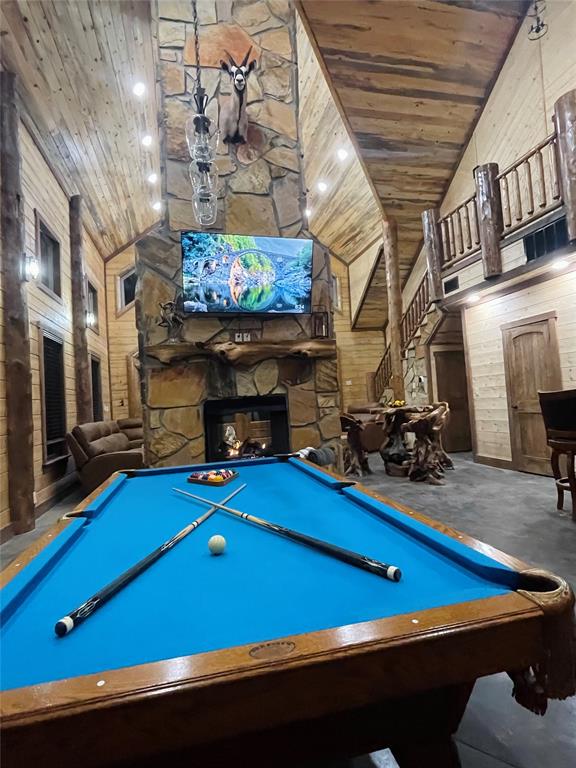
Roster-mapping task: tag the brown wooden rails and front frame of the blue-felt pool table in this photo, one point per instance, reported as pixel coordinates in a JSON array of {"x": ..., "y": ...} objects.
[{"x": 373, "y": 676}]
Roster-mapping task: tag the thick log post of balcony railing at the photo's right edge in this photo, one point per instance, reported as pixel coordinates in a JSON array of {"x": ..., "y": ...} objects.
[{"x": 565, "y": 120}]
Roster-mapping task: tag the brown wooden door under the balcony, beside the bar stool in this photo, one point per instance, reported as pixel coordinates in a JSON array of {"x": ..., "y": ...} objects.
[{"x": 531, "y": 363}]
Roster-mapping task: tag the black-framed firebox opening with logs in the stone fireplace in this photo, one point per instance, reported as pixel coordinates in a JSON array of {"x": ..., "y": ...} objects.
[{"x": 240, "y": 427}]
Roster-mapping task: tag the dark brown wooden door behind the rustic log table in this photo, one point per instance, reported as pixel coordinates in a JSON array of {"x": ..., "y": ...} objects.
[{"x": 451, "y": 386}]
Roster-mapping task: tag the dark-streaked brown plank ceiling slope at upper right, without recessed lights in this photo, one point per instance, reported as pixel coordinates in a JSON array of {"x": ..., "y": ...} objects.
[{"x": 412, "y": 77}]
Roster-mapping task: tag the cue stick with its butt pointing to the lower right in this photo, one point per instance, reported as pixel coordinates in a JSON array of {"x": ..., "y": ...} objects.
[{"x": 390, "y": 572}]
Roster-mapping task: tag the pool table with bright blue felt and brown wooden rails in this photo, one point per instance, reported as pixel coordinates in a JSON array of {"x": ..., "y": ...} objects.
[{"x": 271, "y": 653}]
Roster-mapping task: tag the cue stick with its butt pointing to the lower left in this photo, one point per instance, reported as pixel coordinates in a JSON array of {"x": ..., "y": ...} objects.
[{"x": 80, "y": 614}]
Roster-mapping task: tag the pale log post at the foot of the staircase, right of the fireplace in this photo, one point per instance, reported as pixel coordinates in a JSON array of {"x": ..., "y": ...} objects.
[{"x": 390, "y": 244}]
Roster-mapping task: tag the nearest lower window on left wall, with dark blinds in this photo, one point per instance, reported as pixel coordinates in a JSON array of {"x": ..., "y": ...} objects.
[{"x": 53, "y": 397}]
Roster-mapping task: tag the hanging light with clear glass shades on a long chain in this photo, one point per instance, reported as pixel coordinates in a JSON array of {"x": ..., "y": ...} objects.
[{"x": 202, "y": 145}]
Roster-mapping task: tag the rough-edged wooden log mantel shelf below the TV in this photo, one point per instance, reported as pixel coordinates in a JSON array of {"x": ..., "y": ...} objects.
[{"x": 247, "y": 353}]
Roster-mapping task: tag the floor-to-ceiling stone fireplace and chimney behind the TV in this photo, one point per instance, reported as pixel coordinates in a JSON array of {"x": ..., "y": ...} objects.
[{"x": 262, "y": 193}]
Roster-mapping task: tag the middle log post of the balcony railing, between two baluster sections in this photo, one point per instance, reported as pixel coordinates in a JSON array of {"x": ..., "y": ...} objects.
[{"x": 490, "y": 220}]
